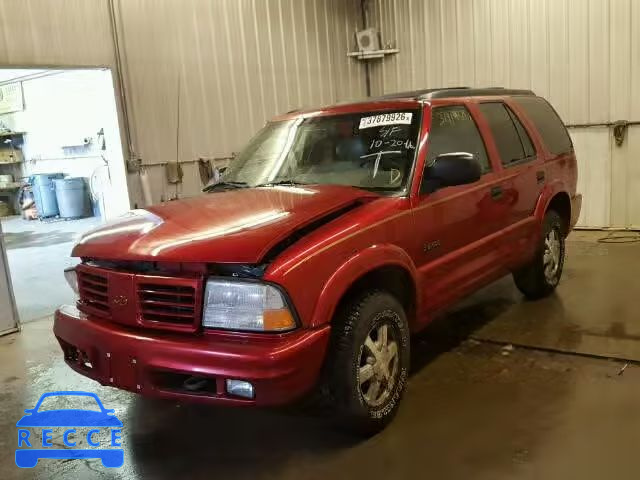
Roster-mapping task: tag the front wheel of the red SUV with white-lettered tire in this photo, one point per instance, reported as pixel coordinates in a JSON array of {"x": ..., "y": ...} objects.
[{"x": 368, "y": 363}]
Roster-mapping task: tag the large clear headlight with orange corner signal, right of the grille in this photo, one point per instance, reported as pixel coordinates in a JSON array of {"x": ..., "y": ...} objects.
[{"x": 238, "y": 305}]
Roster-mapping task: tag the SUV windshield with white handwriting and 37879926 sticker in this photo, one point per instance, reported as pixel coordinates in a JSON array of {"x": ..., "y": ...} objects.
[{"x": 371, "y": 150}]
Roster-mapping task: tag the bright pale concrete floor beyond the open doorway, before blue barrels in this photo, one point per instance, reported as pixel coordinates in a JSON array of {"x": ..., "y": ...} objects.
[{"x": 38, "y": 252}]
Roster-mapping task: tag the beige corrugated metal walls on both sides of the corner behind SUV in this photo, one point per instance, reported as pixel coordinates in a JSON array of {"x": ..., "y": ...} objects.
[{"x": 238, "y": 62}]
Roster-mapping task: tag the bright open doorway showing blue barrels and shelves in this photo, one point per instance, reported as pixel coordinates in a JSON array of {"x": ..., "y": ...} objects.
[{"x": 62, "y": 173}]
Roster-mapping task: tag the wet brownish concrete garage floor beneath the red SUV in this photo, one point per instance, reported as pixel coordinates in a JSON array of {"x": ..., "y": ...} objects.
[{"x": 473, "y": 409}]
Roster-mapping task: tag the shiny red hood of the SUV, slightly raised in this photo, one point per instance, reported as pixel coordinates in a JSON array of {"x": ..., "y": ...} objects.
[{"x": 238, "y": 226}]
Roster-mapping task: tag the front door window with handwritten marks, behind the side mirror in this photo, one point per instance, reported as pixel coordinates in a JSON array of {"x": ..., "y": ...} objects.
[{"x": 454, "y": 130}]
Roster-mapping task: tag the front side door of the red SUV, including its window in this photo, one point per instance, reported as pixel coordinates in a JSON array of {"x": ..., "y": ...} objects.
[{"x": 456, "y": 247}]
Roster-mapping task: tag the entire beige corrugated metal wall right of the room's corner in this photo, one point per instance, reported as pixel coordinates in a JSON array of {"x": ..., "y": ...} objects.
[{"x": 583, "y": 55}]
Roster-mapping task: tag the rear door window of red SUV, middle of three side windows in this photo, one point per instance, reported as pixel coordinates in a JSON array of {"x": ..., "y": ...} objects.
[{"x": 512, "y": 140}]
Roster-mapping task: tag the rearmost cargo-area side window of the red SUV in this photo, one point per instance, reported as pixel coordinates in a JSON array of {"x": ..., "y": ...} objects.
[{"x": 547, "y": 122}]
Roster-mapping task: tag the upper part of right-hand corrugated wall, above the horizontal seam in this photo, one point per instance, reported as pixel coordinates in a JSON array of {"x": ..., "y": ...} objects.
[{"x": 577, "y": 53}]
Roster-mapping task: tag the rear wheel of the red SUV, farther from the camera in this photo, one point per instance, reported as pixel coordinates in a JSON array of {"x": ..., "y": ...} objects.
[{"x": 541, "y": 276}]
